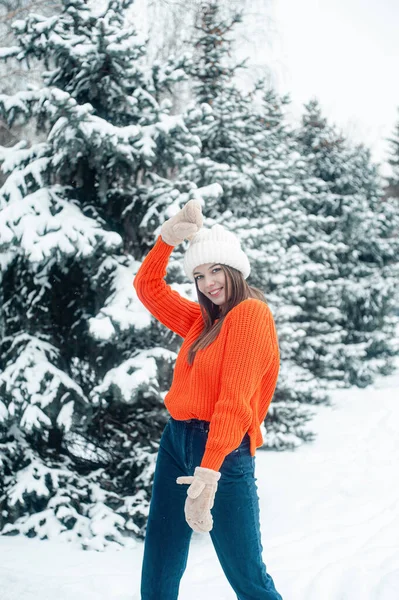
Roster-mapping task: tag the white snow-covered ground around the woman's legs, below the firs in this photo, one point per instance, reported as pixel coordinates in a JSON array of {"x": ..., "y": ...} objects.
[{"x": 330, "y": 522}]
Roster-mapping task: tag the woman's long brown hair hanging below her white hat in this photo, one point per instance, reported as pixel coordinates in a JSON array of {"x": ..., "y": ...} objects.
[{"x": 237, "y": 290}]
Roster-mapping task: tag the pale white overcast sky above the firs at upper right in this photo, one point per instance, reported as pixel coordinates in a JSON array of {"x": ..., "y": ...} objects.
[{"x": 344, "y": 52}]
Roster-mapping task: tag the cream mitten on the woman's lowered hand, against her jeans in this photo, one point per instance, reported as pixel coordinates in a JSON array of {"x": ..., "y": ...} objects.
[{"x": 200, "y": 498}]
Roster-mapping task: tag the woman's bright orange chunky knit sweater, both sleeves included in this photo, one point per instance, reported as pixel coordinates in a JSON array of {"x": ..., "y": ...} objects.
[{"x": 232, "y": 381}]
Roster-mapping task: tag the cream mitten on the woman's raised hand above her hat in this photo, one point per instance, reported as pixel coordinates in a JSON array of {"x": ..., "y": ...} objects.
[{"x": 185, "y": 224}]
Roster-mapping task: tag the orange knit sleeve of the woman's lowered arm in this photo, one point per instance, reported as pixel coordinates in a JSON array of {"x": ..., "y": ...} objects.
[{"x": 251, "y": 353}]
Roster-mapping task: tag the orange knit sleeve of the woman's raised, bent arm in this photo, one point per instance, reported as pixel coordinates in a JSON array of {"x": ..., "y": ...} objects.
[{"x": 166, "y": 305}]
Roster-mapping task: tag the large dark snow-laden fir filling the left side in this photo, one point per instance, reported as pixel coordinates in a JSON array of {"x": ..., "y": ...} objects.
[{"x": 83, "y": 367}]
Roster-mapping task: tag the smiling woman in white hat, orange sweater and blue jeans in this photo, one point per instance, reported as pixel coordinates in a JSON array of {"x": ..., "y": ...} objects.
[{"x": 224, "y": 379}]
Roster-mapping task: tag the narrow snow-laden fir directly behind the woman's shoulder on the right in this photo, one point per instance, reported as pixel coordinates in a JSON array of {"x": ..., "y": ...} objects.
[{"x": 271, "y": 234}]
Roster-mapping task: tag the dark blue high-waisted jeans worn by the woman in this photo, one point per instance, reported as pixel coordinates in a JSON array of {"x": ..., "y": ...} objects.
[{"x": 236, "y": 528}]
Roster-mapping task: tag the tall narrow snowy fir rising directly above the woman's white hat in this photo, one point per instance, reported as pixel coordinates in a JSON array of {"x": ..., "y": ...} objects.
[{"x": 227, "y": 129}]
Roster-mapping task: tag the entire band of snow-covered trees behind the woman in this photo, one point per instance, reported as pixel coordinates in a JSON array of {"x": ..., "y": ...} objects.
[{"x": 109, "y": 125}]
